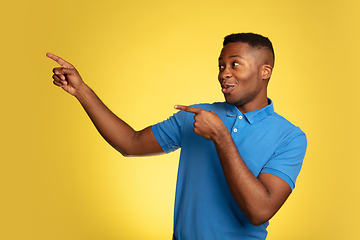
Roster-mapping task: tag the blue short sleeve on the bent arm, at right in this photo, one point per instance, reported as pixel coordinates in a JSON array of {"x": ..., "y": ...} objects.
[{"x": 287, "y": 160}]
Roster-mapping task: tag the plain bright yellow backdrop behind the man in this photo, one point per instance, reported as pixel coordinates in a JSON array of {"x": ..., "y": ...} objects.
[{"x": 61, "y": 180}]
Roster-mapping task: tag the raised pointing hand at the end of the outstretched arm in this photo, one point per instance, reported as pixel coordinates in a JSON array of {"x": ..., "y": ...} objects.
[{"x": 66, "y": 76}]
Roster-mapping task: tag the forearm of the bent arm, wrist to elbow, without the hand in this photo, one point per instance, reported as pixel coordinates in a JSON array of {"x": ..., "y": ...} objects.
[{"x": 251, "y": 195}]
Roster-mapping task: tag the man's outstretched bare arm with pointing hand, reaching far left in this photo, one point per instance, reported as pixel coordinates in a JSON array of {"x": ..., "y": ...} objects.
[{"x": 114, "y": 130}]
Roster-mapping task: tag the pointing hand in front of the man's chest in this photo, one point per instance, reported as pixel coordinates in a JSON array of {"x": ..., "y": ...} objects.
[{"x": 207, "y": 124}]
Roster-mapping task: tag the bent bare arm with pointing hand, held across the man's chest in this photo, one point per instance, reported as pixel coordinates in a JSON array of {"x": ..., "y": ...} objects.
[{"x": 260, "y": 197}]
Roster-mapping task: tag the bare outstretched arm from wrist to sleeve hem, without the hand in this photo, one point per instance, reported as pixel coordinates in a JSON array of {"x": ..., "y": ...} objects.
[{"x": 114, "y": 130}]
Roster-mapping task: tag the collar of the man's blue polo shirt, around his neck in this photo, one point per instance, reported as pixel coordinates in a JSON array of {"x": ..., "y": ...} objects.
[{"x": 253, "y": 116}]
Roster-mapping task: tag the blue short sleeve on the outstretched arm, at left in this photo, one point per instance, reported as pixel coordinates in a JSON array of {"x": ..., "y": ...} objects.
[{"x": 169, "y": 132}]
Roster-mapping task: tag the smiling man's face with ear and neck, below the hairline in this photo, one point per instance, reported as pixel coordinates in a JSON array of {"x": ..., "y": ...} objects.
[{"x": 241, "y": 75}]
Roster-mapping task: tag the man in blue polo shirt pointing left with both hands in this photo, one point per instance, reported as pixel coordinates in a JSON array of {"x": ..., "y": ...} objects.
[{"x": 239, "y": 159}]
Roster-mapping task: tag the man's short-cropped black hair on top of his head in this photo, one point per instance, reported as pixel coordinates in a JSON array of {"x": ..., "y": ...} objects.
[{"x": 254, "y": 40}]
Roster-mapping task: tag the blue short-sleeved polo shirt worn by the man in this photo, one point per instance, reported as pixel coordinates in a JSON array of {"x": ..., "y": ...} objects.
[{"x": 204, "y": 206}]
